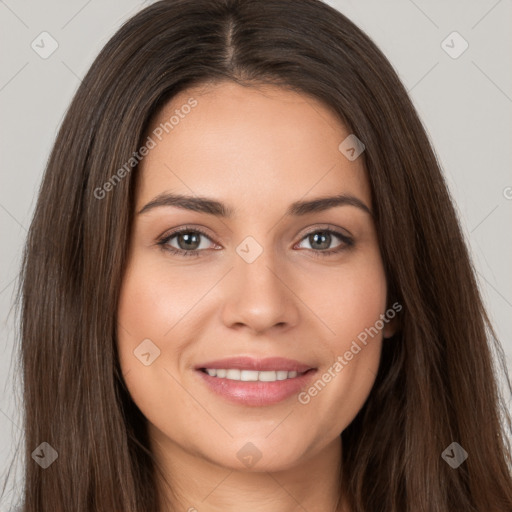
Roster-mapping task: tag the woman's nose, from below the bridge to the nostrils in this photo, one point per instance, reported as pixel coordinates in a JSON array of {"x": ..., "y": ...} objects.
[{"x": 260, "y": 295}]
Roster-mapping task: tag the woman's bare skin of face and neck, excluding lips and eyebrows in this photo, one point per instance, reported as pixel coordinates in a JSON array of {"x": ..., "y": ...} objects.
[{"x": 257, "y": 150}]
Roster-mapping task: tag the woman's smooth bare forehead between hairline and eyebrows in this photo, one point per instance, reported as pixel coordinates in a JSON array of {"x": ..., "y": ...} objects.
[{"x": 240, "y": 142}]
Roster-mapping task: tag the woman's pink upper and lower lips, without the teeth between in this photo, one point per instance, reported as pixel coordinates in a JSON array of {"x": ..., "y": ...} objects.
[{"x": 256, "y": 394}]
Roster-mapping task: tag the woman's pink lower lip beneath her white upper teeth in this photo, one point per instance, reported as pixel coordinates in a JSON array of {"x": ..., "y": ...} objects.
[{"x": 257, "y": 393}]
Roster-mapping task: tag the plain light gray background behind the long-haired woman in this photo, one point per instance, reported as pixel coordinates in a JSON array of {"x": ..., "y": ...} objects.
[{"x": 465, "y": 104}]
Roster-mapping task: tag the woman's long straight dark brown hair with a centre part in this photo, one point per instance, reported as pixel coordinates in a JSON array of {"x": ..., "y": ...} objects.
[{"x": 437, "y": 382}]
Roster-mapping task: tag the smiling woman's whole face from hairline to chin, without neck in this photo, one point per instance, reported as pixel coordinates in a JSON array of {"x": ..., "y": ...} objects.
[{"x": 263, "y": 279}]
